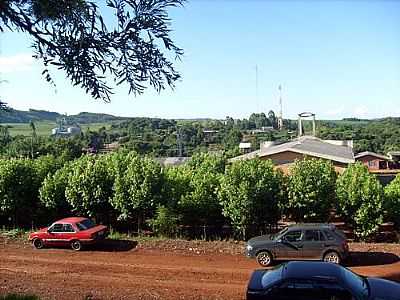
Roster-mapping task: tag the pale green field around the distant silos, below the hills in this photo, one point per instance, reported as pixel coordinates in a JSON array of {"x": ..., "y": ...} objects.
[{"x": 44, "y": 128}]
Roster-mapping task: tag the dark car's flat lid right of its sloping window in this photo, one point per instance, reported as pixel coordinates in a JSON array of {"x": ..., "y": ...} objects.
[{"x": 382, "y": 289}]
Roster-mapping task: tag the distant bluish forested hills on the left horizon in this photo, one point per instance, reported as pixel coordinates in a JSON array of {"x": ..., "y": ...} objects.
[{"x": 20, "y": 116}]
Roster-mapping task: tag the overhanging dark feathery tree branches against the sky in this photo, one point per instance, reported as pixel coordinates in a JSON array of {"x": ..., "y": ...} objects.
[{"x": 73, "y": 36}]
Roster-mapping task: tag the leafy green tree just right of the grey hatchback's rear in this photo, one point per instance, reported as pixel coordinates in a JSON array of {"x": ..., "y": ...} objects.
[{"x": 360, "y": 199}]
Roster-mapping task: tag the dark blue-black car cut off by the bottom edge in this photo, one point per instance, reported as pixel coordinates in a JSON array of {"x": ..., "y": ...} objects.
[{"x": 303, "y": 280}]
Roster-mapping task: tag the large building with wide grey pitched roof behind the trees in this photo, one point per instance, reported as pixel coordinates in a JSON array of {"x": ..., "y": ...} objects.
[{"x": 340, "y": 153}]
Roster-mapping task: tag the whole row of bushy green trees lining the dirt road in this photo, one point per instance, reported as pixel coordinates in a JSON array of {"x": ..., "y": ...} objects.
[{"x": 133, "y": 192}]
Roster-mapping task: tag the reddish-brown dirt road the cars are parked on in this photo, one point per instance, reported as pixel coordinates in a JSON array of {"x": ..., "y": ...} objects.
[{"x": 142, "y": 273}]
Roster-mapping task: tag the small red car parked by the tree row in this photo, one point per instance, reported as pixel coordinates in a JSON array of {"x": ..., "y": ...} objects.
[{"x": 74, "y": 232}]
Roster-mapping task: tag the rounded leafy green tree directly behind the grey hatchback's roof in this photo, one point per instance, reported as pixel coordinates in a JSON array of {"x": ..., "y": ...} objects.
[{"x": 311, "y": 190}]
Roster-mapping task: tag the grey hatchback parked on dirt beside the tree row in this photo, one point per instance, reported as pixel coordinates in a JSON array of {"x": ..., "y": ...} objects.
[{"x": 301, "y": 242}]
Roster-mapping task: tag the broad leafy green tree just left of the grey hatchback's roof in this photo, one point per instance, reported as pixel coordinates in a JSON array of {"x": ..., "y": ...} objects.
[{"x": 249, "y": 194}]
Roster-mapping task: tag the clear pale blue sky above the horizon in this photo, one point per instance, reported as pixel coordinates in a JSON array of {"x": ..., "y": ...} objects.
[{"x": 334, "y": 58}]
